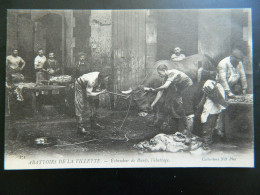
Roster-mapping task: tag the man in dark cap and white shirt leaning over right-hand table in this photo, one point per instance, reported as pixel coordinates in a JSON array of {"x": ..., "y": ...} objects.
[{"x": 231, "y": 71}]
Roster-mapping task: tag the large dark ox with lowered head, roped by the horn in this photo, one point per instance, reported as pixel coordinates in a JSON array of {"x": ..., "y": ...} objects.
[{"x": 198, "y": 67}]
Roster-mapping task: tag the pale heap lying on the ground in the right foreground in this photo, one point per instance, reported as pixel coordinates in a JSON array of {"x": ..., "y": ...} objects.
[{"x": 169, "y": 143}]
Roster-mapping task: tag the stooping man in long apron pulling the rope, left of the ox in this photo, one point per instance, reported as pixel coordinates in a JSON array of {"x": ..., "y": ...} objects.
[{"x": 87, "y": 87}]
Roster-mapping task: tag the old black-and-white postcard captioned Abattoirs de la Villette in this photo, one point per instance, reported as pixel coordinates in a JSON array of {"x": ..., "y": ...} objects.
[{"x": 129, "y": 88}]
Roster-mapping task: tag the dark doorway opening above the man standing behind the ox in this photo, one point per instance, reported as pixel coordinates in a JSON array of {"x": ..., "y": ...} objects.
[{"x": 176, "y": 28}]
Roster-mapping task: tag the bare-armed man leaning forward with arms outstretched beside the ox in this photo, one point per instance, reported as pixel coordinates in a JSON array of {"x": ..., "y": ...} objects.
[{"x": 177, "y": 89}]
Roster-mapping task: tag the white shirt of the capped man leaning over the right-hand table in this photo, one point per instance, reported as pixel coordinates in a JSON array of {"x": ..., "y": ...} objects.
[{"x": 230, "y": 75}]
